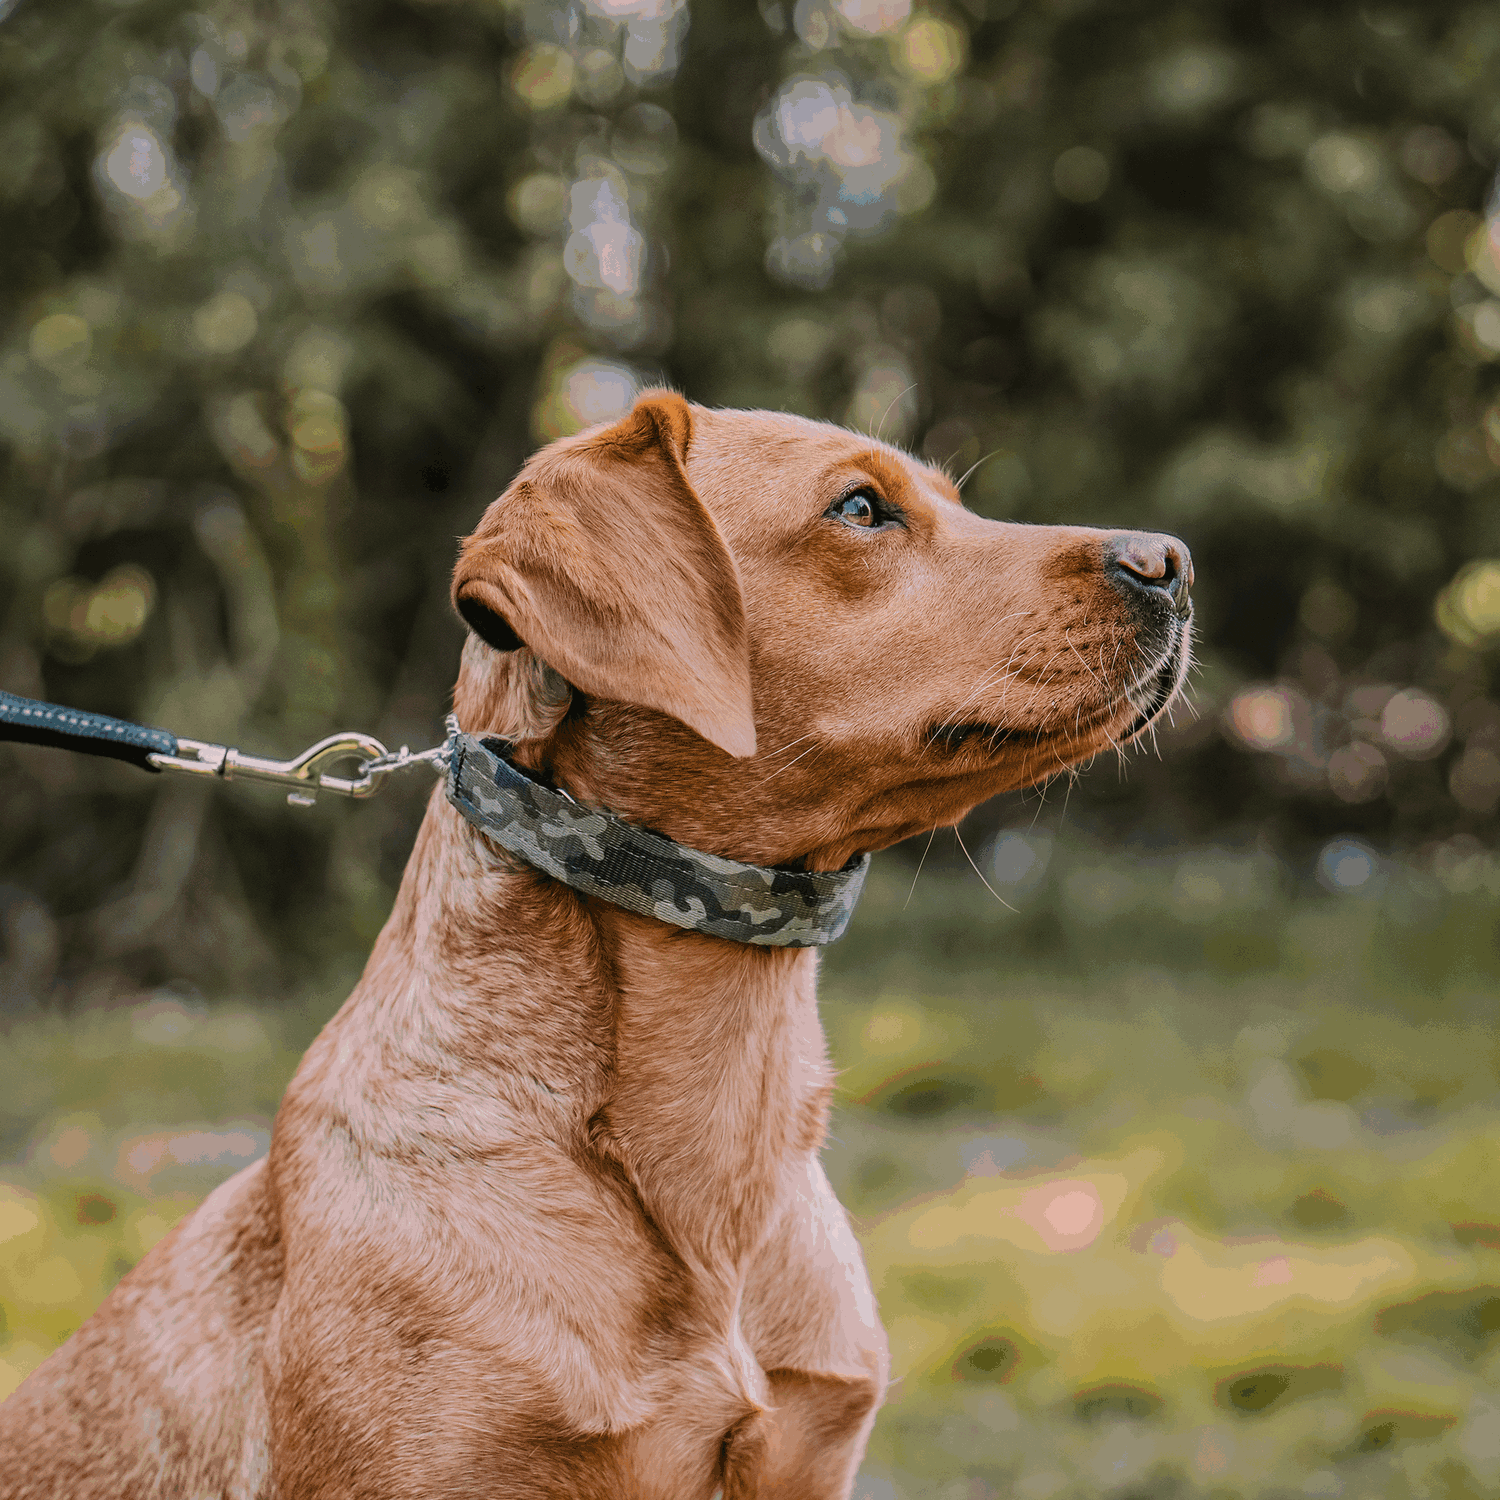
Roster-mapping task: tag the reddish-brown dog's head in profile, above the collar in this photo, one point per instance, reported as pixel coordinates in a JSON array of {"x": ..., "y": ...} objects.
[{"x": 781, "y": 641}]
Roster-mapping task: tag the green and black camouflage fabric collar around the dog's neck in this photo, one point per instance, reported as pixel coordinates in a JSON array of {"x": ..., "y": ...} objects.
[{"x": 601, "y": 856}]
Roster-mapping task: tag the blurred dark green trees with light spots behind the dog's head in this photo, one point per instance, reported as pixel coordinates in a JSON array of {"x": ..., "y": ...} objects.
[{"x": 292, "y": 289}]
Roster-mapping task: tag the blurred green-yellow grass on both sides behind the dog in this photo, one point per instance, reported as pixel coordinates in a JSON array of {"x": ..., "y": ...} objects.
[{"x": 1181, "y": 1178}]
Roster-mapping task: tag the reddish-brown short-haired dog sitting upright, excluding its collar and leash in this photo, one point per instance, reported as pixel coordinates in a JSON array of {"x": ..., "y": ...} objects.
[{"x": 544, "y": 1213}]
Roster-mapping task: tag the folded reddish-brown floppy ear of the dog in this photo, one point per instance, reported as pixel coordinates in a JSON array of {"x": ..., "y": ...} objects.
[{"x": 608, "y": 568}]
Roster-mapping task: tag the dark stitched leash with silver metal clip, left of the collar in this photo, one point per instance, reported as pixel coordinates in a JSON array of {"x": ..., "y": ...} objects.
[{"x": 32, "y": 722}]
